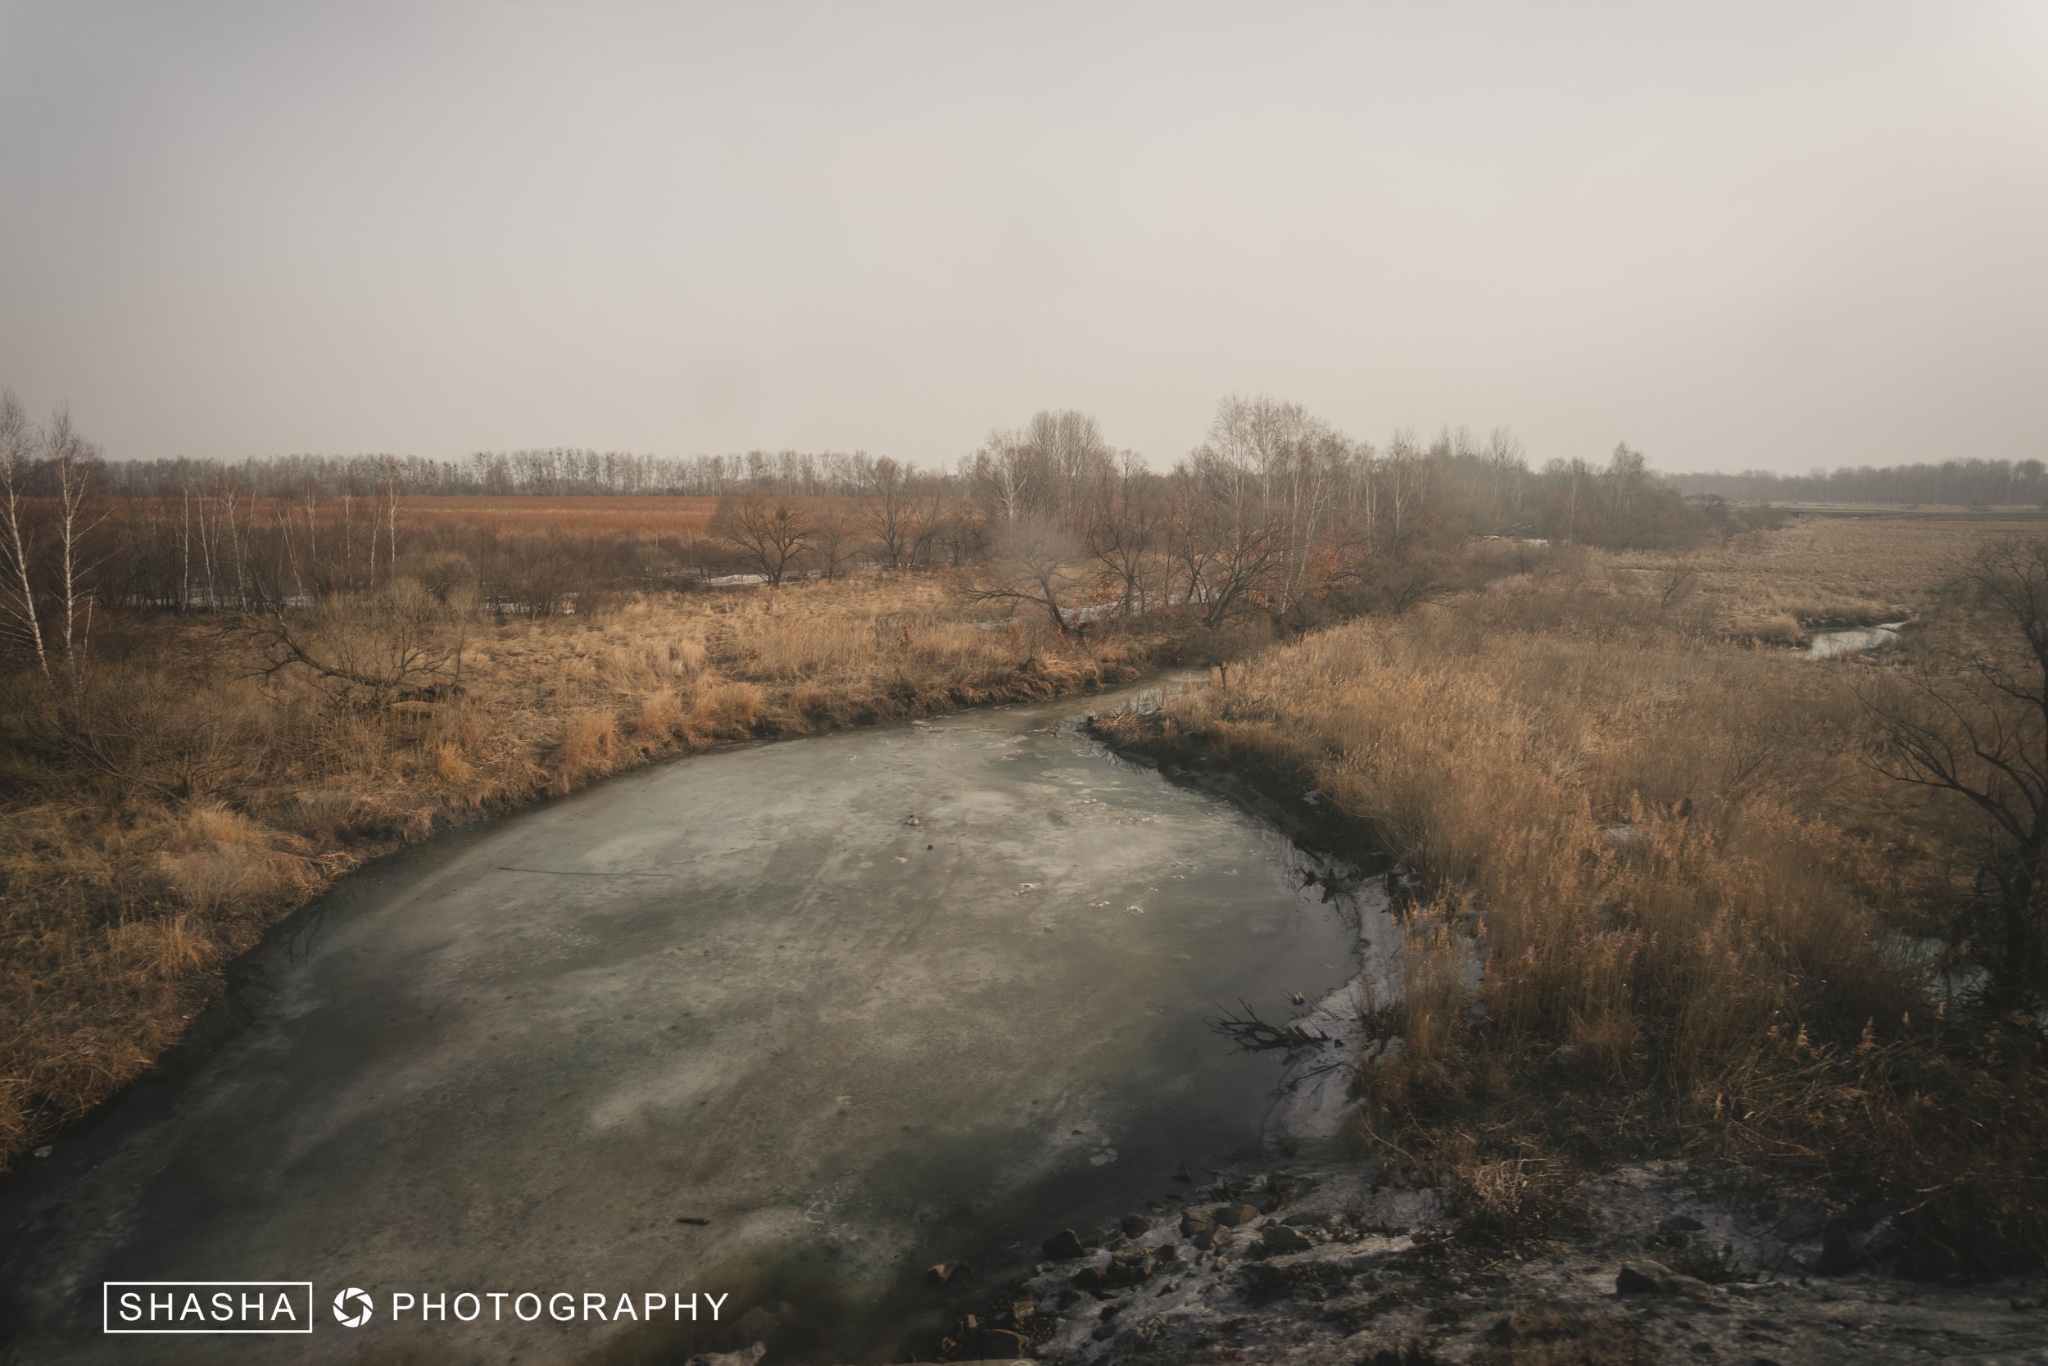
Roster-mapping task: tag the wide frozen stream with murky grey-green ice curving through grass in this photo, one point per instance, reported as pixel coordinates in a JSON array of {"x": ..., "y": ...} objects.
[{"x": 787, "y": 1023}]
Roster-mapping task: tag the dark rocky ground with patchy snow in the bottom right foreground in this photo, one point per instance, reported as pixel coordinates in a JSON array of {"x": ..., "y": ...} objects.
[{"x": 1314, "y": 1263}]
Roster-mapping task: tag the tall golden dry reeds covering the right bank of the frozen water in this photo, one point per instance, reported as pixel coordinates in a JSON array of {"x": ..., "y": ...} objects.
[{"x": 1660, "y": 910}]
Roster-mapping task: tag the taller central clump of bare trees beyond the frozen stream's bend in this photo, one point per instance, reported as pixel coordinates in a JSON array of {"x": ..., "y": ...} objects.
[{"x": 1277, "y": 513}]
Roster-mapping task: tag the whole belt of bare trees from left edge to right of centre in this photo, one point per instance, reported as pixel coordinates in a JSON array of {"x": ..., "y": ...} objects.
[{"x": 1277, "y": 513}]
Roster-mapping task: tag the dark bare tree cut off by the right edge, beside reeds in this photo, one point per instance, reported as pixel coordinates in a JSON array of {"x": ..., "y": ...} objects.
[{"x": 1971, "y": 718}]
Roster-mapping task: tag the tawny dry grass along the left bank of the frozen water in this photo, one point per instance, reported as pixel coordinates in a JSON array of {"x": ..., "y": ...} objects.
[{"x": 165, "y": 818}]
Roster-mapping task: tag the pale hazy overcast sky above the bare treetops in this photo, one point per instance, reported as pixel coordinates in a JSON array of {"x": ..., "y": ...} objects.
[{"x": 1732, "y": 234}]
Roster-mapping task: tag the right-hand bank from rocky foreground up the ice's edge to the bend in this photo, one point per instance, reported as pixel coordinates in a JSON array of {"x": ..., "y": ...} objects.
[{"x": 1342, "y": 1248}]
